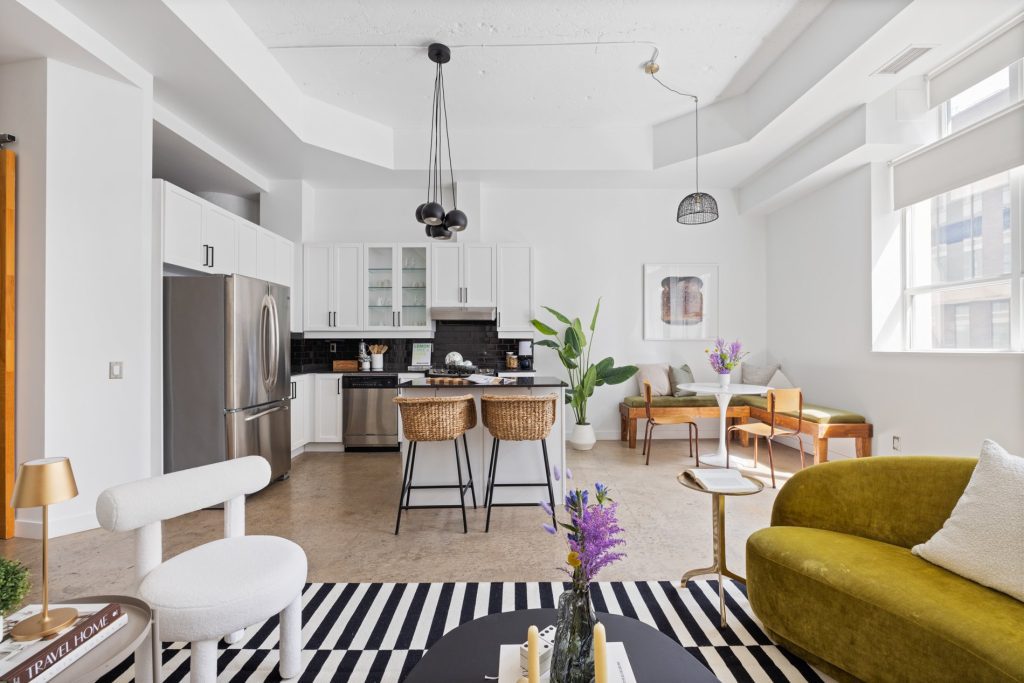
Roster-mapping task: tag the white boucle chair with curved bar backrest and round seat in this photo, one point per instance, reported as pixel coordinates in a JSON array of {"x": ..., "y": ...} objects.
[{"x": 216, "y": 590}]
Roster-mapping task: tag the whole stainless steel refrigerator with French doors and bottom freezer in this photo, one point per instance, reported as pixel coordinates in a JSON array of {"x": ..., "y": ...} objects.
[{"x": 227, "y": 372}]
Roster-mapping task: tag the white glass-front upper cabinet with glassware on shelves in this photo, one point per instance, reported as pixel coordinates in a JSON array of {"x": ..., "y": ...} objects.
[{"x": 397, "y": 286}]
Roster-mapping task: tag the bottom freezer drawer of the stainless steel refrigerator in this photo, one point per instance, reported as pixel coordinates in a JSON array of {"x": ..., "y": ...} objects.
[{"x": 264, "y": 431}]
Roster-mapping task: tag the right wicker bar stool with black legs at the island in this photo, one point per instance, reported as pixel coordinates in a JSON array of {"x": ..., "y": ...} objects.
[{"x": 518, "y": 419}]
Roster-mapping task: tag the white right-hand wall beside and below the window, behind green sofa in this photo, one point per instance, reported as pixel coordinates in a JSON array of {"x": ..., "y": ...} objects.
[{"x": 820, "y": 327}]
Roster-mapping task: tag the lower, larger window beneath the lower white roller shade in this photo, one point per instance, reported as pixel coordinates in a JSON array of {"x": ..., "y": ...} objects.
[{"x": 964, "y": 275}]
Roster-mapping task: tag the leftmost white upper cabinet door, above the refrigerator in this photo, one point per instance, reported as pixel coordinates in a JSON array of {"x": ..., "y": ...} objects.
[{"x": 181, "y": 215}]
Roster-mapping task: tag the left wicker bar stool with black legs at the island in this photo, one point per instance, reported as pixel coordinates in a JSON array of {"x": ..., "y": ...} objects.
[{"x": 437, "y": 419}]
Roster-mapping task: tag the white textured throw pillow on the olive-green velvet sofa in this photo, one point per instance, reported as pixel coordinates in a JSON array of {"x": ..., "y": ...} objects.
[{"x": 984, "y": 540}]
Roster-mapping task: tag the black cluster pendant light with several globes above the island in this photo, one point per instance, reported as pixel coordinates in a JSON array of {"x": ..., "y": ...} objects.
[{"x": 440, "y": 225}]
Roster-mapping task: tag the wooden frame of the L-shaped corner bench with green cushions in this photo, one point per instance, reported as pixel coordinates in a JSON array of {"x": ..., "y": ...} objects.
[{"x": 742, "y": 412}]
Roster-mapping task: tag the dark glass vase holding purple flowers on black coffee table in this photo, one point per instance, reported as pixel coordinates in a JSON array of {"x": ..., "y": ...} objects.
[{"x": 573, "y": 659}]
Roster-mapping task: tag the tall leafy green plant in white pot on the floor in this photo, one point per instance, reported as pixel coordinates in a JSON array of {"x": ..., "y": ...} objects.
[{"x": 574, "y": 351}]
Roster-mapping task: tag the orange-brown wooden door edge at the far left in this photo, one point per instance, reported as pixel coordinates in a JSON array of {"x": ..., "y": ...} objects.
[{"x": 8, "y": 309}]
